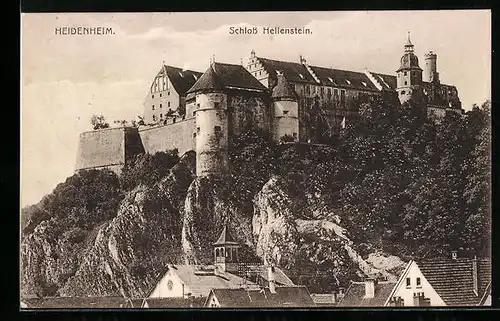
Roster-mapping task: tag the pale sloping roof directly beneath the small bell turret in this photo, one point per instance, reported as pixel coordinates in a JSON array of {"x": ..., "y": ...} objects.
[{"x": 201, "y": 281}]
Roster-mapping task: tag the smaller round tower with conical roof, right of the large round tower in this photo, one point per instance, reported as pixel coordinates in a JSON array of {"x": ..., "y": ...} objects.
[{"x": 285, "y": 113}]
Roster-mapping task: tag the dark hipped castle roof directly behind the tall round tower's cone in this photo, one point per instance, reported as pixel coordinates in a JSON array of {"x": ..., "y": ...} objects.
[{"x": 220, "y": 76}]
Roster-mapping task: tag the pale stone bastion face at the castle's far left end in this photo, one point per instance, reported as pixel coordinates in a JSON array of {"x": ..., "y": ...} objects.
[{"x": 101, "y": 148}]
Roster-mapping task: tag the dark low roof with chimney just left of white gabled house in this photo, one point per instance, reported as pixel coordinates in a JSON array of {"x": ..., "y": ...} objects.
[{"x": 355, "y": 295}]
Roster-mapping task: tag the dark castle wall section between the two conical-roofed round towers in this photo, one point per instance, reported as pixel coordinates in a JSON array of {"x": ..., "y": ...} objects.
[{"x": 248, "y": 111}]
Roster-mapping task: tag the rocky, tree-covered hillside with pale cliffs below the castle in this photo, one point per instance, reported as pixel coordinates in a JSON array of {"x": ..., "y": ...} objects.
[{"x": 392, "y": 187}]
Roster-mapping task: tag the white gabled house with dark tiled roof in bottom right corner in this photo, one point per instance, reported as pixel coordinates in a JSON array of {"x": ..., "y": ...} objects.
[{"x": 443, "y": 282}]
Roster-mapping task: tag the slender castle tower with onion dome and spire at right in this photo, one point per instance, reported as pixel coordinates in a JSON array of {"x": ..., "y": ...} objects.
[{"x": 409, "y": 74}]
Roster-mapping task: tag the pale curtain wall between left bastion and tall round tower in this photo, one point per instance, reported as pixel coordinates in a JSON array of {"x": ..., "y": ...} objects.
[{"x": 161, "y": 138}]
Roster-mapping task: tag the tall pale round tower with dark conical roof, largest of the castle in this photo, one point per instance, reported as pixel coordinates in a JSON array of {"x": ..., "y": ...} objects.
[{"x": 211, "y": 123}]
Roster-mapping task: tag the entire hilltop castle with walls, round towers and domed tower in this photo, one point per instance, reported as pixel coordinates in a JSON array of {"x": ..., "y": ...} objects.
[{"x": 194, "y": 111}]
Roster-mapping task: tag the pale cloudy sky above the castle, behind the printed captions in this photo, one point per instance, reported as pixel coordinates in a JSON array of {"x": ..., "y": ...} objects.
[{"x": 67, "y": 78}]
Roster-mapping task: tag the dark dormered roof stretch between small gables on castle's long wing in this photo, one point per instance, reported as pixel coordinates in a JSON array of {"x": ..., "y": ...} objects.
[{"x": 343, "y": 78}]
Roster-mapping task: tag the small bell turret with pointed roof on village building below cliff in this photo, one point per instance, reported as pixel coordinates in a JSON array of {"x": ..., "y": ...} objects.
[{"x": 226, "y": 256}]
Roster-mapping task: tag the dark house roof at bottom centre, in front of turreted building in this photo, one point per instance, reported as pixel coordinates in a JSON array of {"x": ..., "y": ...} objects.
[{"x": 296, "y": 296}]
